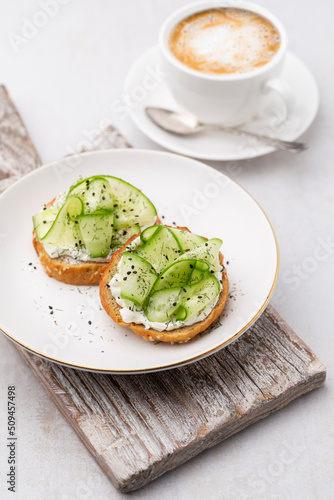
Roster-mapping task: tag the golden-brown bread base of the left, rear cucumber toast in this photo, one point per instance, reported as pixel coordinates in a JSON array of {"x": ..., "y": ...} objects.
[{"x": 81, "y": 273}]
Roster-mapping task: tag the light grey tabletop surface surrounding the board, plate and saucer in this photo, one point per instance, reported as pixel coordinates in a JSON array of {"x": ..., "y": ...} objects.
[{"x": 66, "y": 80}]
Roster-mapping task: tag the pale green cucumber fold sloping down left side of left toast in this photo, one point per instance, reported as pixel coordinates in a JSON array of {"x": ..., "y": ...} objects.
[{"x": 64, "y": 232}]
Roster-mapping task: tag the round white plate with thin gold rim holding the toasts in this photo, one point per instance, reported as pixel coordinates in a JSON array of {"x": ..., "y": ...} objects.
[{"x": 185, "y": 192}]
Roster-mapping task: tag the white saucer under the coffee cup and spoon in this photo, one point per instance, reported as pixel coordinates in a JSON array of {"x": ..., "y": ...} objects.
[{"x": 145, "y": 86}]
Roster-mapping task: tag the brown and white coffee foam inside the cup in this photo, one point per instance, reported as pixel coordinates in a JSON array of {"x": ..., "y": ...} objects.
[{"x": 226, "y": 40}]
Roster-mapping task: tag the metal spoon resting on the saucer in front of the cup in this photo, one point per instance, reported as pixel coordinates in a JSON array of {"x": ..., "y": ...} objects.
[{"x": 186, "y": 124}]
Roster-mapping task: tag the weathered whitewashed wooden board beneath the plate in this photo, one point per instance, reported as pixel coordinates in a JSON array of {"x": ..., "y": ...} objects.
[{"x": 140, "y": 426}]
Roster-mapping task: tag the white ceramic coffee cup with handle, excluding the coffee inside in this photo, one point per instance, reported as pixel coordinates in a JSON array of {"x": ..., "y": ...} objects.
[{"x": 223, "y": 98}]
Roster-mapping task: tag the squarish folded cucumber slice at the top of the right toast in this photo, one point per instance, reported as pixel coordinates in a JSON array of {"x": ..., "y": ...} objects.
[{"x": 161, "y": 249}]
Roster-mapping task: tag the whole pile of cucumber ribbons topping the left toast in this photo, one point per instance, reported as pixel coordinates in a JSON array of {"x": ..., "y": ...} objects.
[{"x": 99, "y": 197}]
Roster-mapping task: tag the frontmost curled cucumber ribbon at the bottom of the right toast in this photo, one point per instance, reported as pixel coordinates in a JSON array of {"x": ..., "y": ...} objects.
[{"x": 182, "y": 303}]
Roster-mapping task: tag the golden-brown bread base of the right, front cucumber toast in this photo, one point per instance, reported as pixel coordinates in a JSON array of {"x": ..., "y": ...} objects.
[{"x": 178, "y": 335}]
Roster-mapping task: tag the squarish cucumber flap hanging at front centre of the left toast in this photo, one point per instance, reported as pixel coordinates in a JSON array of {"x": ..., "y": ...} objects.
[{"x": 96, "y": 230}]
